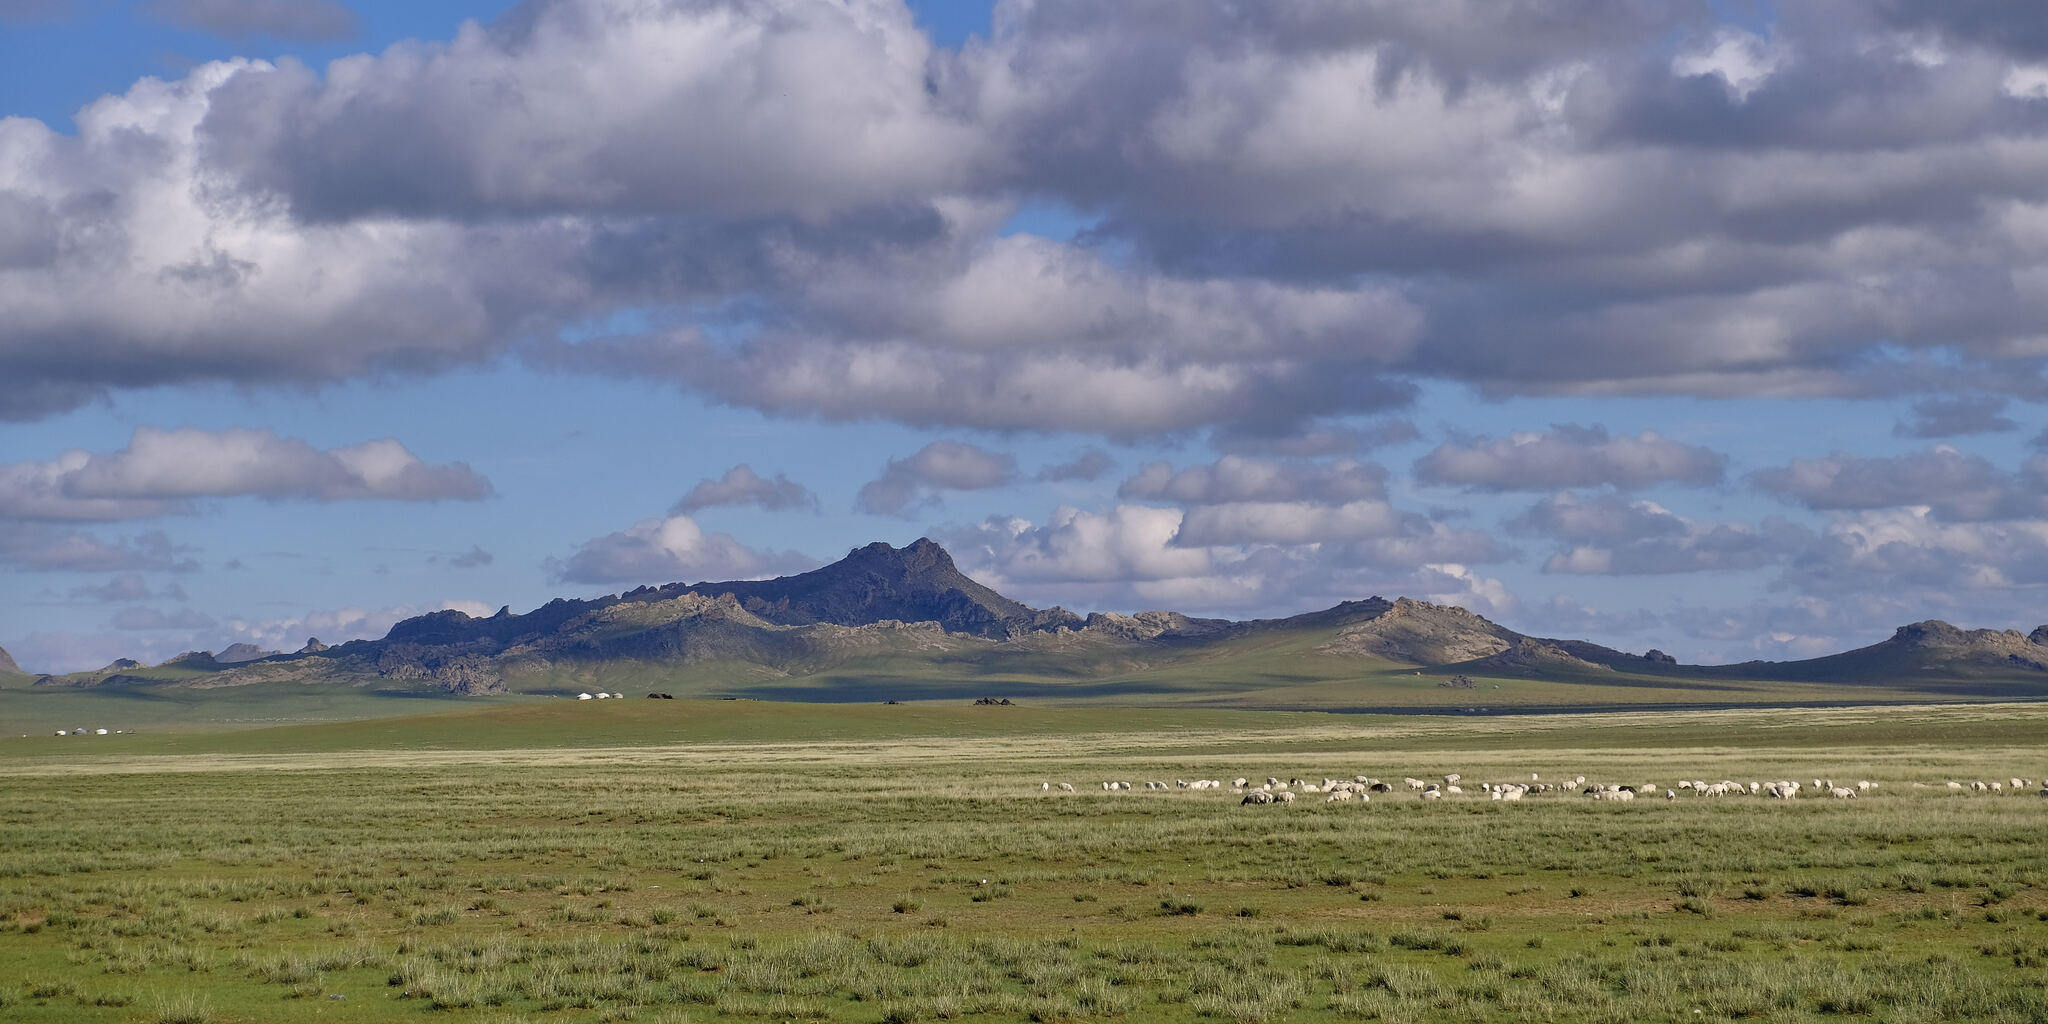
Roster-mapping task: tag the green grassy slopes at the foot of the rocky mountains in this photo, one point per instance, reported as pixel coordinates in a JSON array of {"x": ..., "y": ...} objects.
[{"x": 1281, "y": 669}]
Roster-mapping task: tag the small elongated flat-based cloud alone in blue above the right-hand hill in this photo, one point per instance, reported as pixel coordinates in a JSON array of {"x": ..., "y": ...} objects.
[{"x": 1568, "y": 458}]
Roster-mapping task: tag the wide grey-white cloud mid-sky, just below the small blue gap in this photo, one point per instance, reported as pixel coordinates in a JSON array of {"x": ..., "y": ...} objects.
[{"x": 1031, "y": 335}]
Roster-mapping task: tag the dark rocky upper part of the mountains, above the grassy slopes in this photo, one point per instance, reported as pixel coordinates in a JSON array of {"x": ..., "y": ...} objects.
[{"x": 914, "y": 601}]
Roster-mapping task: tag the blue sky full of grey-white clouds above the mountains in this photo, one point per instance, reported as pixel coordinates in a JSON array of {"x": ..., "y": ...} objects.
[{"x": 1703, "y": 327}]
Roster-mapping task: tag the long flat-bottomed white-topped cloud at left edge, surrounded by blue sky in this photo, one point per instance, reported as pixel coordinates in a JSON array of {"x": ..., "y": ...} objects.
[{"x": 163, "y": 470}]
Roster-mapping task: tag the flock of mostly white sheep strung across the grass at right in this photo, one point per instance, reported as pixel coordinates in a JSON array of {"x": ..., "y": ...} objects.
[{"x": 1361, "y": 790}]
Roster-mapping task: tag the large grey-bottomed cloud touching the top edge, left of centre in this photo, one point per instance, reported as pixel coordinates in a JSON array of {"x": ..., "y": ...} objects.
[{"x": 724, "y": 105}]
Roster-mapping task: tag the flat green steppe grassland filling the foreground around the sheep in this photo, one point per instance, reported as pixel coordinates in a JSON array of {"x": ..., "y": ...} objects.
[{"x": 933, "y": 880}]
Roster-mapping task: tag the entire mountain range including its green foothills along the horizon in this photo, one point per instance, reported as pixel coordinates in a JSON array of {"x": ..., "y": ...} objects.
[{"x": 906, "y": 624}]
